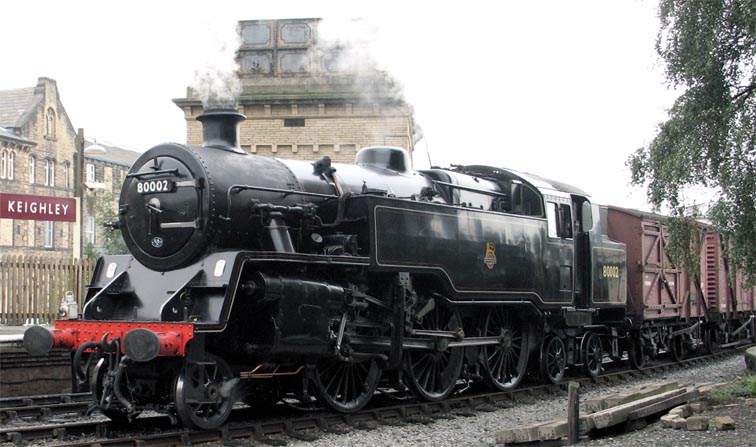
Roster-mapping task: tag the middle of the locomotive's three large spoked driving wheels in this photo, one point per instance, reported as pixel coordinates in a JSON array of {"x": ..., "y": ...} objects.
[{"x": 432, "y": 374}]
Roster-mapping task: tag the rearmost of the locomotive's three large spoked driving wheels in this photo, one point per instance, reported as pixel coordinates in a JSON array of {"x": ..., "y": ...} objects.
[{"x": 504, "y": 363}]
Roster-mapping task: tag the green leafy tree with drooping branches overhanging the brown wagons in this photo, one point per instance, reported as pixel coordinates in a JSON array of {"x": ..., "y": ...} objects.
[{"x": 709, "y": 47}]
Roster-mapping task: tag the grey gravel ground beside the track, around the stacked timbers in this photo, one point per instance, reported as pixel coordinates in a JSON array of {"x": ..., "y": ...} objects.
[{"x": 481, "y": 430}]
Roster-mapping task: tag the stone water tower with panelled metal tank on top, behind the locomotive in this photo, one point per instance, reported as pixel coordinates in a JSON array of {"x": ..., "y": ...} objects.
[{"x": 304, "y": 98}]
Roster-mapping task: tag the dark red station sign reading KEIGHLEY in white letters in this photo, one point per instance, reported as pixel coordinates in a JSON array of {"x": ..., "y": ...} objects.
[{"x": 28, "y": 207}]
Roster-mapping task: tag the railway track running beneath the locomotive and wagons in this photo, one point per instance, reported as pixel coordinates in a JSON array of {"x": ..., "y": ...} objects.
[{"x": 158, "y": 430}]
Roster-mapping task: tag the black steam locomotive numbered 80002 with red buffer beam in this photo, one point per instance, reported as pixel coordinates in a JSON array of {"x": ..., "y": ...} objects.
[{"x": 254, "y": 278}]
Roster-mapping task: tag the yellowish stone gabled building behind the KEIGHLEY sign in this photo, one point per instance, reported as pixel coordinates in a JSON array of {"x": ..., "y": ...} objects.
[{"x": 37, "y": 146}]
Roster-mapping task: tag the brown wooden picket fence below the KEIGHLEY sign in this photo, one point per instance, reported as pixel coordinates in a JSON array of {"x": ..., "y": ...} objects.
[{"x": 32, "y": 287}]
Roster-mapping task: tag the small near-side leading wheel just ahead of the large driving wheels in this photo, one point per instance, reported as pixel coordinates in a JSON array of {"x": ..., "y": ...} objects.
[{"x": 202, "y": 400}]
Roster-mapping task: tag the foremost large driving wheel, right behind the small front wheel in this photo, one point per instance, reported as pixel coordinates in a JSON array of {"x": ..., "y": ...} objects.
[{"x": 346, "y": 386}]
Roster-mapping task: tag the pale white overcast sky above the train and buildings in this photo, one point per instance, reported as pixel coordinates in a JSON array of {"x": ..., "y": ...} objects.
[{"x": 563, "y": 89}]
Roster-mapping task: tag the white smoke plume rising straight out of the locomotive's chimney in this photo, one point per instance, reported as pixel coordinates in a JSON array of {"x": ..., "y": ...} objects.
[{"x": 217, "y": 83}]
